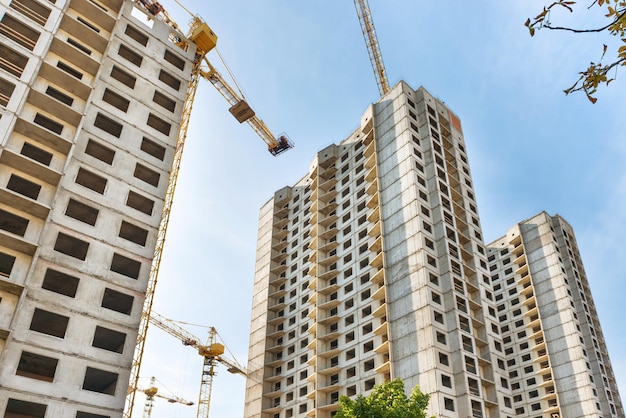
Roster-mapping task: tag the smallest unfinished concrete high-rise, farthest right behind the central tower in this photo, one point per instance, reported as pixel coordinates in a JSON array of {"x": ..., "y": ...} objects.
[{"x": 557, "y": 358}]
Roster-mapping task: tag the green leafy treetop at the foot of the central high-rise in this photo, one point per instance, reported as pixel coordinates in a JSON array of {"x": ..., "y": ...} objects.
[{"x": 387, "y": 400}]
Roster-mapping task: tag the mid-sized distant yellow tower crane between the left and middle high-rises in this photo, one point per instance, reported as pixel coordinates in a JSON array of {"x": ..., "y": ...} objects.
[{"x": 212, "y": 353}]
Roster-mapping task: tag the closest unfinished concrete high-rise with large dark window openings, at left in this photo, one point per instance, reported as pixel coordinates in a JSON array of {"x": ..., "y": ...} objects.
[{"x": 91, "y": 95}]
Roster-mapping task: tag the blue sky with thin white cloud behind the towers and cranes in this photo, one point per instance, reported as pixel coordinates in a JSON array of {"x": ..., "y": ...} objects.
[{"x": 305, "y": 69}]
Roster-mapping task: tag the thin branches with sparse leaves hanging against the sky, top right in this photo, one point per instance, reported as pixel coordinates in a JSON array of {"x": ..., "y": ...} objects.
[{"x": 598, "y": 72}]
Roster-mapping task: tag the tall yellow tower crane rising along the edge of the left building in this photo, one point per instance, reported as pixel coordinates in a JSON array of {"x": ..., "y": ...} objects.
[{"x": 205, "y": 41}]
